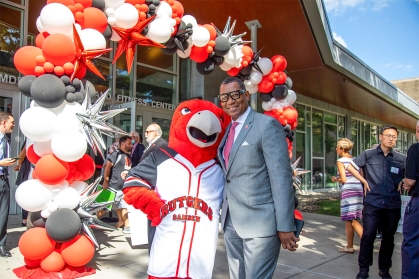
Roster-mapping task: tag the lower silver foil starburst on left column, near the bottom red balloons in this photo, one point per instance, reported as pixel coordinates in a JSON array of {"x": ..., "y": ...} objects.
[{"x": 88, "y": 207}]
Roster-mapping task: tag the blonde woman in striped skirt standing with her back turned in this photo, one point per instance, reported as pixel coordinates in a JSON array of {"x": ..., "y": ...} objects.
[{"x": 352, "y": 193}]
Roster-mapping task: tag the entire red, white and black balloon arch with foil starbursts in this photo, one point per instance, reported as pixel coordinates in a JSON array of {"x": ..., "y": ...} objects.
[{"x": 61, "y": 120}]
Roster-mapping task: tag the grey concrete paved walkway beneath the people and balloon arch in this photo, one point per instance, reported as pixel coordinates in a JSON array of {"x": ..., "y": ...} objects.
[{"x": 317, "y": 257}]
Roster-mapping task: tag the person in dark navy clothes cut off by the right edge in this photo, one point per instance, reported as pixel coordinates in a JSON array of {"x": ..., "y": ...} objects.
[{"x": 410, "y": 245}]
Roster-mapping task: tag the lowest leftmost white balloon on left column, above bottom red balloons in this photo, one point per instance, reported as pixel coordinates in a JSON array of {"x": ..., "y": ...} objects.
[{"x": 32, "y": 196}]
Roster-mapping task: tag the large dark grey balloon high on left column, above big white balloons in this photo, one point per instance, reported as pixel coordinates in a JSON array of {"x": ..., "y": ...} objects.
[{"x": 48, "y": 91}]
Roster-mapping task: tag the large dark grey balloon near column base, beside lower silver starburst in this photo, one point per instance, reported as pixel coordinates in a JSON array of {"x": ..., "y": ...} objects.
[{"x": 63, "y": 225}]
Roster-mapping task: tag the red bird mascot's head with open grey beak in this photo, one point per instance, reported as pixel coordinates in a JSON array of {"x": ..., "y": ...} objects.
[{"x": 197, "y": 129}]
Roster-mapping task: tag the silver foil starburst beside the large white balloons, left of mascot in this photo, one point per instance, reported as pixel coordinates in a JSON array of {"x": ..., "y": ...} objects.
[{"x": 94, "y": 123}]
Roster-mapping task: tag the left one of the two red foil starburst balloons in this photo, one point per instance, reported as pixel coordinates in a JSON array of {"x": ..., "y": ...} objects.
[{"x": 83, "y": 56}]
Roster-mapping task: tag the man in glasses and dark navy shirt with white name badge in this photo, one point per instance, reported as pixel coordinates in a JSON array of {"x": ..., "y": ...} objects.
[{"x": 384, "y": 171}]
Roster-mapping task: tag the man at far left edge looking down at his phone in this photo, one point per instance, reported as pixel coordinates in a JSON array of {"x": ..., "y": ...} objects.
[{"x": 7, "y": 124}]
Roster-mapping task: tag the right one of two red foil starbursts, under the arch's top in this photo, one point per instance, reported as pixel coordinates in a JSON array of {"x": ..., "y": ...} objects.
[{"x": 132, "y": 37}]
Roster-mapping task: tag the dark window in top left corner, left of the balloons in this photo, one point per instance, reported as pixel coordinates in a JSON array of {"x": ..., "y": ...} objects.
[{"x": 10, "y": 38}]
